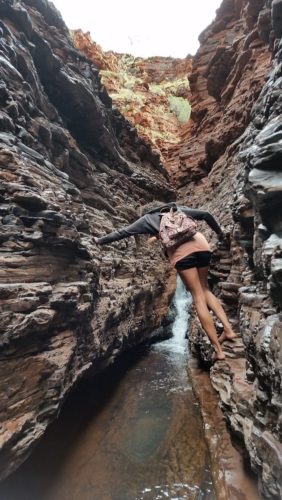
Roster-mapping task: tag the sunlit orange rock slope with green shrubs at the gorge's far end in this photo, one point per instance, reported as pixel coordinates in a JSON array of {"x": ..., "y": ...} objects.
[{"x": 152, "y": 93}]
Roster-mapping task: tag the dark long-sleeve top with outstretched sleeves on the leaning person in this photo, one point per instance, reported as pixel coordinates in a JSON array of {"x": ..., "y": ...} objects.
[{"x": 150, "y": 224}]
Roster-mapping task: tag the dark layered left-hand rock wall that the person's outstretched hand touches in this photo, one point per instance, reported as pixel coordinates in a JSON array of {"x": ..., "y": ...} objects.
[{"x": 71, "y": 168}]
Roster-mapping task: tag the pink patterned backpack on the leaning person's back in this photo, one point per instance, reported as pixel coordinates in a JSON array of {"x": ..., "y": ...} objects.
[{"x": 176, "y": 228}]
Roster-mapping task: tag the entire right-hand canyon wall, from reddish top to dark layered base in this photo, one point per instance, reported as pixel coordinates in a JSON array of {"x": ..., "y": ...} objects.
[{"x": 230, "y": 163}]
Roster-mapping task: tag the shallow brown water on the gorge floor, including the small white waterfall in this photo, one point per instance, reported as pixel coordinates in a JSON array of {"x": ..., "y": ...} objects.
[{"x": 132, "y": 433}]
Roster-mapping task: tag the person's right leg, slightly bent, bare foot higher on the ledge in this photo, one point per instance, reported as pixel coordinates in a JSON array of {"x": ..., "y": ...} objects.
[{"x": 214, "y": 304}]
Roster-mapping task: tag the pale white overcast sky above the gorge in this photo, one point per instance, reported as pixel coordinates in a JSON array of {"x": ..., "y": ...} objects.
[{"x": 141, "y": 27}]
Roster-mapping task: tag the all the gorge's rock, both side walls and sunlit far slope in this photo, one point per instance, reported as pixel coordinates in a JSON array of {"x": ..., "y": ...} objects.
[{"x": 86, "y": 139}]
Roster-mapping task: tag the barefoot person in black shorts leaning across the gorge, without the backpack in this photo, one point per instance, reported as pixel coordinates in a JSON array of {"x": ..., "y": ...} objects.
[{"x": 191, "y": 260}]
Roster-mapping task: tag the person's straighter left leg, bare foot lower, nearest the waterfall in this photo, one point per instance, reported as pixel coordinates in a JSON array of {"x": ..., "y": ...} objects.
[{"x": 190, "y": 278}]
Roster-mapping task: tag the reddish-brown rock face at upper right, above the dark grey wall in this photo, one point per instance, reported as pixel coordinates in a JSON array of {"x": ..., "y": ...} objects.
[{"x": 227, "y": 75}]
